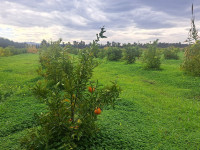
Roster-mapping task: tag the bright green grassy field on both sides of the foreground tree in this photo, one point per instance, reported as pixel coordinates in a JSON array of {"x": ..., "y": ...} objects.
[{"x": 157, "y": 110}]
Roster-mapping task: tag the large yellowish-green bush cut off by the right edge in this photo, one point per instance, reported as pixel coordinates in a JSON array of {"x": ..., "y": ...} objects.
[{"x": 191, "y": 62}]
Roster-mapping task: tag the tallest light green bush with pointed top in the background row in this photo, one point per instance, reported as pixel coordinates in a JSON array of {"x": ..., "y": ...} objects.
[{"x": 151, "y": 57}]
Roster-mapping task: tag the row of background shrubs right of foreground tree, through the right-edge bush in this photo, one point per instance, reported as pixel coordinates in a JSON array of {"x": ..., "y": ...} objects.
[{"x": 152, "y": 54}]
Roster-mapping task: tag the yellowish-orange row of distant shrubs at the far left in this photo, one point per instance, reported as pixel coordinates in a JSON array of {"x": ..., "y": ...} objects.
[{"x": 11, "y": 50}]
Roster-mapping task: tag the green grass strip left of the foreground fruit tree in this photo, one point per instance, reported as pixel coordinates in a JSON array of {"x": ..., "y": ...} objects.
[{"x": 17, "y": 104}]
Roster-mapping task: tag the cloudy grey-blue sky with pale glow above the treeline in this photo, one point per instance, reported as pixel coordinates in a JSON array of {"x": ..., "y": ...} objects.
[{"x": 125, "y": 20}]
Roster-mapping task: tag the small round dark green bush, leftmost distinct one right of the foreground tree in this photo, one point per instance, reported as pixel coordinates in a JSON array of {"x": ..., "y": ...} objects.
[{"x": 114, "y": 53}]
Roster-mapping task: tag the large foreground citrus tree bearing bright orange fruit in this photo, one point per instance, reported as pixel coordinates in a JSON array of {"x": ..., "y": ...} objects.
[{"x": 73, "y": 100}]
